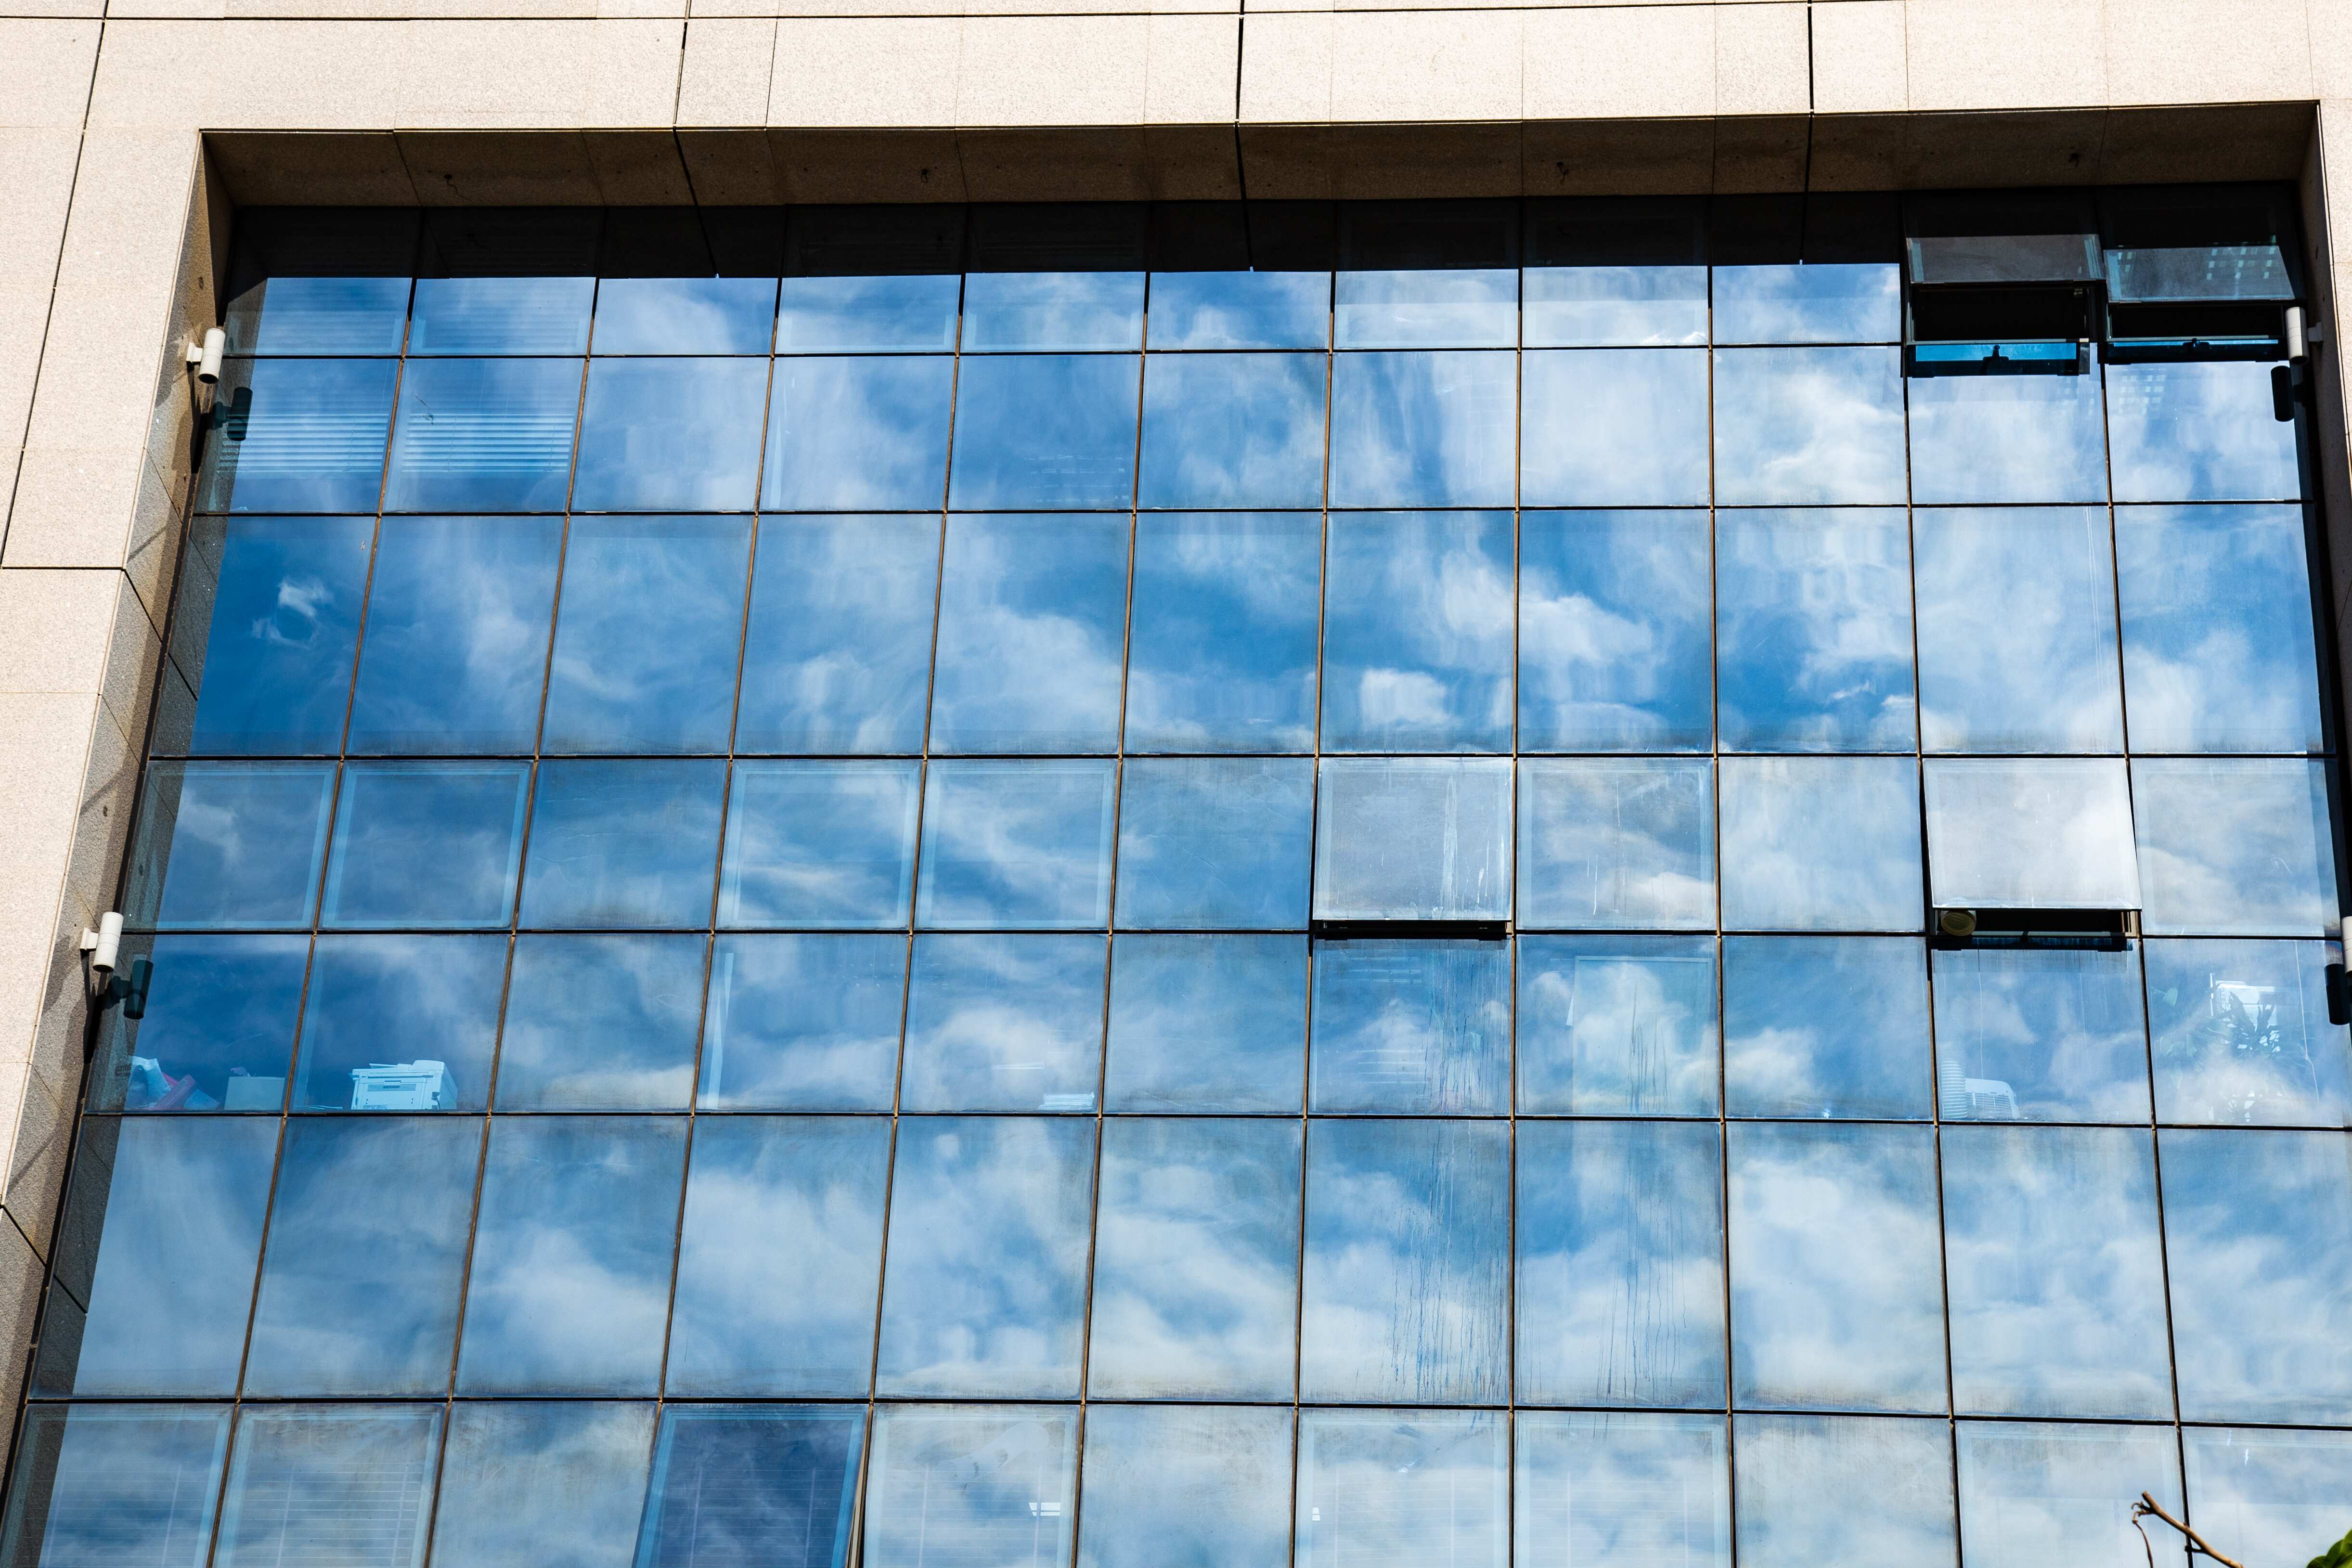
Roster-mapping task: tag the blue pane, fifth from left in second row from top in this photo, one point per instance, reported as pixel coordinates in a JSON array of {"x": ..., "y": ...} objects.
[{"x": 1045, "y": 431}]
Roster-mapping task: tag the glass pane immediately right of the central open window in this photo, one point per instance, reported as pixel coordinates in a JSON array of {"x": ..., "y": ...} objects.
[{"x": 1617, "y": 843}]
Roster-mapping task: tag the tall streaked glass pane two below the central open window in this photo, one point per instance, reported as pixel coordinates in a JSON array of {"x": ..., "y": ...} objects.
[{"x": 1408, "y": 1264}]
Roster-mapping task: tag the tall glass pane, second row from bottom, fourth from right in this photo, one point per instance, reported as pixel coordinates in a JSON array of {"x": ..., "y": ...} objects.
[{"x": 1619, "y": 1264}]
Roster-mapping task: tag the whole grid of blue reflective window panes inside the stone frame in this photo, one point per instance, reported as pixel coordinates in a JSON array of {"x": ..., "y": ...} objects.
[{"x": 744, "y": 847}]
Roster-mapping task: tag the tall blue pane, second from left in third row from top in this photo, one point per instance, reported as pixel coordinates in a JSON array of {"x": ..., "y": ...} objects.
[{"x": 457, "y": 636}]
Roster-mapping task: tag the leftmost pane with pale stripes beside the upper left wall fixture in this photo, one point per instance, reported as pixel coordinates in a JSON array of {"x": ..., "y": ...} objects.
[{"x": 298, "y": 436}]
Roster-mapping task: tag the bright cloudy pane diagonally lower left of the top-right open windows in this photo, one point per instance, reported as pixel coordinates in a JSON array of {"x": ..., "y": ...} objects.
[{"x": 1810, "y": 427}]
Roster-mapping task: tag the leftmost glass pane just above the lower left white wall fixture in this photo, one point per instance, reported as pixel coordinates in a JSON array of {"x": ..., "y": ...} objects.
[{"x": 229, "y": 845}]
